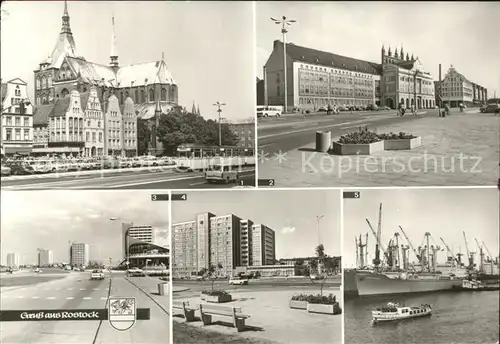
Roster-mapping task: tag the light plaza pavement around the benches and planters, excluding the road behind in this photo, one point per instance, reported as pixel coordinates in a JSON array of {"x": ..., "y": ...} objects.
[{"x": 271, "y": 319}]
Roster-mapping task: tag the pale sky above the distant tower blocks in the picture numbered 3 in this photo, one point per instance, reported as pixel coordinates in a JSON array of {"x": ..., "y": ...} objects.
[{"x": 49, "y": 219}]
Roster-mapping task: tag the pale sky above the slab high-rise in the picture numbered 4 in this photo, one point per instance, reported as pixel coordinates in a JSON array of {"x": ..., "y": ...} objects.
[{"x": 291, "y": 214}]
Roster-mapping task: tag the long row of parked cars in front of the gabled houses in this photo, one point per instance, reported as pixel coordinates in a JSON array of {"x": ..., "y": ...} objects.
[{"x": 38, "y": 166}]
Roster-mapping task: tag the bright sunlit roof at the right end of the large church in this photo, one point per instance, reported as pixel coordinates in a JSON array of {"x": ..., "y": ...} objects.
[{"x": 155, "y": 72}]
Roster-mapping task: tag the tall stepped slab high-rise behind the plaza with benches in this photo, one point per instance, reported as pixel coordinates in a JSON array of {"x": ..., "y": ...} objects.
[{"x": 227, "y": 240}]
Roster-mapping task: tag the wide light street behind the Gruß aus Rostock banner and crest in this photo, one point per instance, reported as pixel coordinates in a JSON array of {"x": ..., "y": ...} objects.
[{"x": 76, "y": 291}]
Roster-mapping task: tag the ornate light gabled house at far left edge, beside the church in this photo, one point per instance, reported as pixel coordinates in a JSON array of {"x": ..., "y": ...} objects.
[{"x": 16, "y": 118}]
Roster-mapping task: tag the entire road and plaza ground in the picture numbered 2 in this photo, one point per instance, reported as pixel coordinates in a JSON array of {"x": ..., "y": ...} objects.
[{"x": 459, "y": 150}]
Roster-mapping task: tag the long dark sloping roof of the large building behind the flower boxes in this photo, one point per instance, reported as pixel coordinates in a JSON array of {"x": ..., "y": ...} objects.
[{"x": 331, "y": 60}]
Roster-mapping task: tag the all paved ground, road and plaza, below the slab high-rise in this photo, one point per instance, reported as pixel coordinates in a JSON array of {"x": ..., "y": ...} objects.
[{"x": 271, "y": 319}]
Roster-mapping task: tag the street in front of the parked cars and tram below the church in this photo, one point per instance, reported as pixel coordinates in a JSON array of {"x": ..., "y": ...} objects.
[{"x": 144, "y": 179}]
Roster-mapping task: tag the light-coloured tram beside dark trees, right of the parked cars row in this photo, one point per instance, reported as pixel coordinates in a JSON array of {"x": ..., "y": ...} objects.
[{"x": 195, "y": 157}]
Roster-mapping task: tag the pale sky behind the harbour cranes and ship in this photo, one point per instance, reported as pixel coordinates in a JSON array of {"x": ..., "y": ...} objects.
[{"x": 443, "y": 213}]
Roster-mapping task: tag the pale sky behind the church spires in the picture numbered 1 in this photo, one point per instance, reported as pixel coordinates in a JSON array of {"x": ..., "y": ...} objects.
[{"x": 208, "y": 46}]
